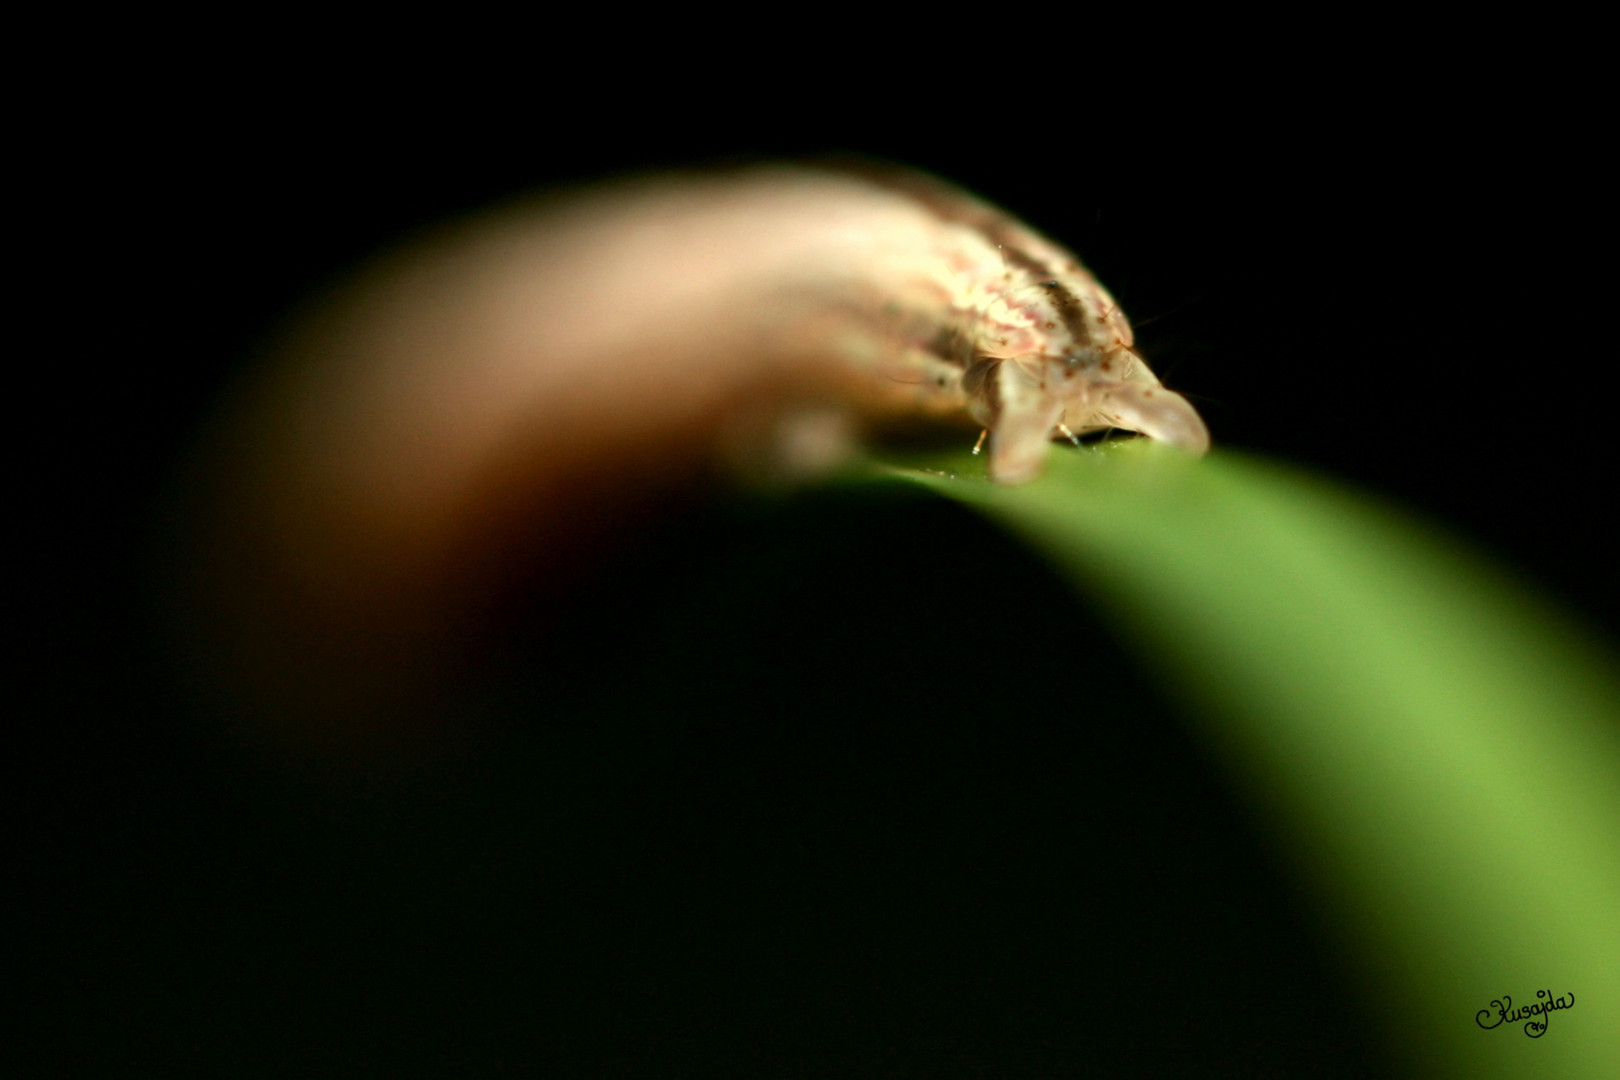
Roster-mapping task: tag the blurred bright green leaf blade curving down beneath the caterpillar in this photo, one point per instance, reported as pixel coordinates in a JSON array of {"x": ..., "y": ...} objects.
[{"x": 1436, "y": 749}]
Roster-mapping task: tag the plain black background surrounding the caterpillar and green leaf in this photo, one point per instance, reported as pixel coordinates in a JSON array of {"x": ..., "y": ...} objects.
[{"x": 887, "y": 812}]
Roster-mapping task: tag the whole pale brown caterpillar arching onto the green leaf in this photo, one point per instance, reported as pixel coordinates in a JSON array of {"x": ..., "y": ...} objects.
[{"x": 513, "y": 388}]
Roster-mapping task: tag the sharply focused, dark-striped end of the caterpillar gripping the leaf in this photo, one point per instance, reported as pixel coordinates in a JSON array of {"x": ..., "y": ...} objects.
[{"x": 986, "y": 315}]
